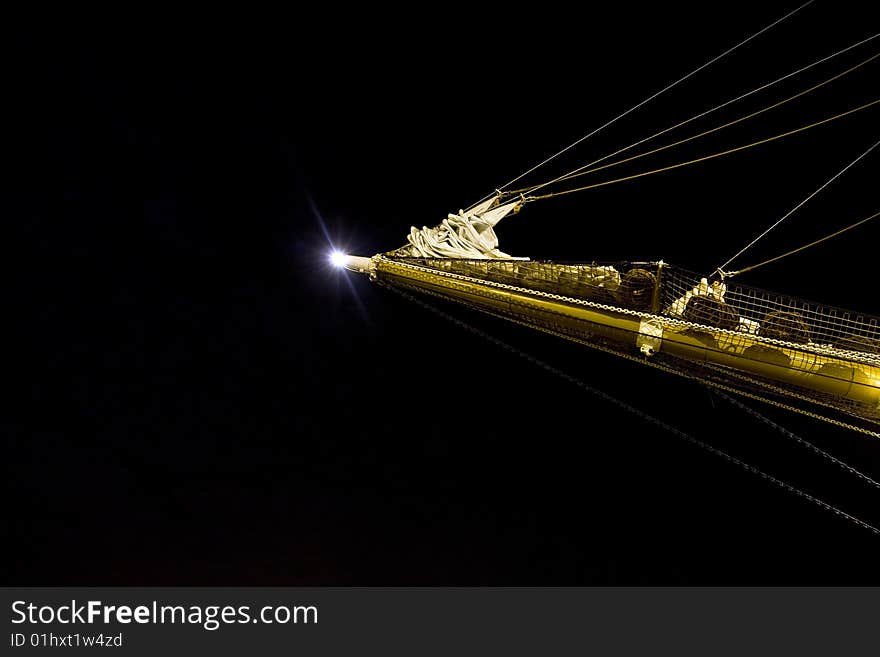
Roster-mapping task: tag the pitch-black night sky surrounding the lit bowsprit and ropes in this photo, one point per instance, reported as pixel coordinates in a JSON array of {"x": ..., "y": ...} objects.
[{"x": 203, "y": 400}]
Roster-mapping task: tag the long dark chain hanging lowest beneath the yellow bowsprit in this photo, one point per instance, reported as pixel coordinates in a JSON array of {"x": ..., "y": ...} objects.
[{"x": 642, "y": 414}]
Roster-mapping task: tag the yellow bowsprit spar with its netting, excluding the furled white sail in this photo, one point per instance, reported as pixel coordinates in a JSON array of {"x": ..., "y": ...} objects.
[{"x": 734, "y": 336}]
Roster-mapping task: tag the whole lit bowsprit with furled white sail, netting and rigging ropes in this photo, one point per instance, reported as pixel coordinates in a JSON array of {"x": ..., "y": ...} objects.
[{"x": 745, "y": 342}]
